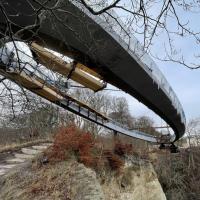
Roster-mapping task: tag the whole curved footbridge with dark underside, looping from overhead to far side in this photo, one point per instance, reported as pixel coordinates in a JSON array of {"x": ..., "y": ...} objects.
[{"x": 102, "y": 45}]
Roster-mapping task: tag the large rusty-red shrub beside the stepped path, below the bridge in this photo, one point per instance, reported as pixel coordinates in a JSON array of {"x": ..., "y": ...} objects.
[{"x": 71, "y": 141}]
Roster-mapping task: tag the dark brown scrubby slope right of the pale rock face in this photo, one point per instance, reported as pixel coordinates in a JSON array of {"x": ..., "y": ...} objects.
[{"x": 179, "y": 174}]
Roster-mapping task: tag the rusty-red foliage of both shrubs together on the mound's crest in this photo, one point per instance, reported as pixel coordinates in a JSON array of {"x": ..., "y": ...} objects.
[{"x": 71, "y": 141}]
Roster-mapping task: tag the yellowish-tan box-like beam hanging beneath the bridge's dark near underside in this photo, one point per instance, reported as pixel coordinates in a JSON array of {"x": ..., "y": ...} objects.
[{"x": 75, "y": 71}]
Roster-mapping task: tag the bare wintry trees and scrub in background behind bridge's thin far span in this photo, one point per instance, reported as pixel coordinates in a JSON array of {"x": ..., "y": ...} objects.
[{"x": 40, "y": 120}]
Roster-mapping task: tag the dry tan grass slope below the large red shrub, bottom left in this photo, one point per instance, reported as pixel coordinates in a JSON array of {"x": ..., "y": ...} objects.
[{"x": 62, "y": 180}]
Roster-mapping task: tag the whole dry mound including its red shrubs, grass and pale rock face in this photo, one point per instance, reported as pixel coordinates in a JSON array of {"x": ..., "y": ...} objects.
[{"x": 80, "y": 166}]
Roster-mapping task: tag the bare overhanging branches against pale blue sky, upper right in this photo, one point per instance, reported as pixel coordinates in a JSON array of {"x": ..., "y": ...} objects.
[{"x": 154, "y": 20}]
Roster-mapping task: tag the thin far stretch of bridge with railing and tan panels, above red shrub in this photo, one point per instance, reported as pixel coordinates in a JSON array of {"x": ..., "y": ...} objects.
[{"x": 40, "y": 87}]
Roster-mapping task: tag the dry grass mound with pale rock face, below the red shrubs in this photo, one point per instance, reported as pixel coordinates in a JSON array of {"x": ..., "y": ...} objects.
[{"x": 73, "y": 181}]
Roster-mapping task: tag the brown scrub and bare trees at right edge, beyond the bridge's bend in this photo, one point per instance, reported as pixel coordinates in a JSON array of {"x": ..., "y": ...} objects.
[{"x": 179, "y": 173}]
